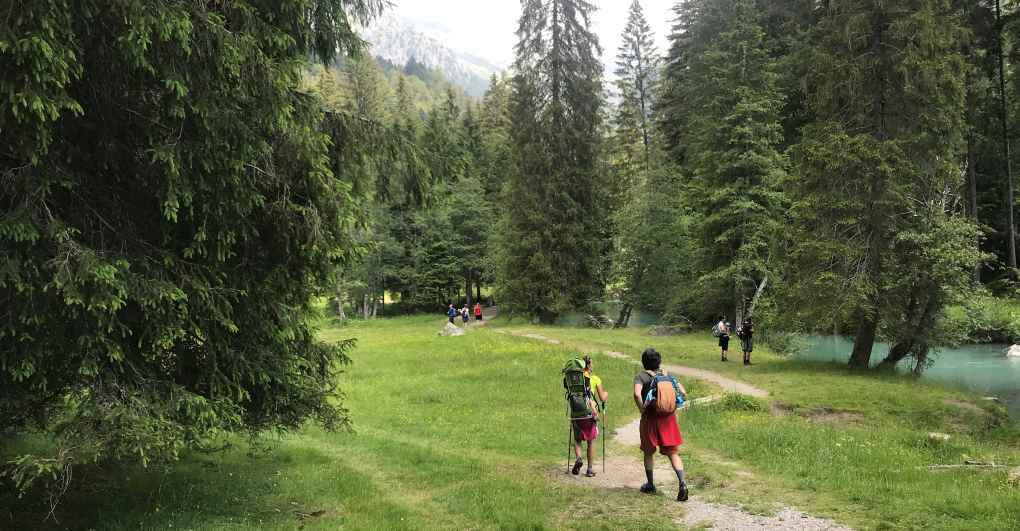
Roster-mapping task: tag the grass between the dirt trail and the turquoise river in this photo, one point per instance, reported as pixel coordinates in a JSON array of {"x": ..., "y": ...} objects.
[{"x": 839, "y": 444}]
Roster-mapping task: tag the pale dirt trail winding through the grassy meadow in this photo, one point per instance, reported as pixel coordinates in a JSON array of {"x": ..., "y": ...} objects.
[{"x": 628, "y": 472}]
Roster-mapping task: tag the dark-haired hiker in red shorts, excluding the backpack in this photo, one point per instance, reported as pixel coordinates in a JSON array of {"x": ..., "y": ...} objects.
[{"x": 660, "y": 433}]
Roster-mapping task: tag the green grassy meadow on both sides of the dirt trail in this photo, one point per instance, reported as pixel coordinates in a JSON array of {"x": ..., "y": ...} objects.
[{"x": 469, "y": 433}]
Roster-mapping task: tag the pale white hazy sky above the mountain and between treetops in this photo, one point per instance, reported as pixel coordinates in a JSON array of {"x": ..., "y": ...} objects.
[{"x": 486, "y": 28}]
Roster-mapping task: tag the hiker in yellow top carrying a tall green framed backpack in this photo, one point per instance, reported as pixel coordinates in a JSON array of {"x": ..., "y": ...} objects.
[{"x": 585, "y": 393}]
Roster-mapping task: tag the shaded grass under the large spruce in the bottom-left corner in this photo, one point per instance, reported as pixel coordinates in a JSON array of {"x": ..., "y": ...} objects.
[{"x": 282, "y": 490}]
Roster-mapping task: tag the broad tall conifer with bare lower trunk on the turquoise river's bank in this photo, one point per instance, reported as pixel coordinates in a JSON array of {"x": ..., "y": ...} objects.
[{"x": 887, "y": 93}]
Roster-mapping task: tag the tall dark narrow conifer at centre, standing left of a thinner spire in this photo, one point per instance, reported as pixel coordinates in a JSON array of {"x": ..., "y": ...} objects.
[{"x": 554, "y": 255}]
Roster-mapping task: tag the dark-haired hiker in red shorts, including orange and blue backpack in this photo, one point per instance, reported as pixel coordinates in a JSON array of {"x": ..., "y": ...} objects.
[{"x": 657, "y": 397}]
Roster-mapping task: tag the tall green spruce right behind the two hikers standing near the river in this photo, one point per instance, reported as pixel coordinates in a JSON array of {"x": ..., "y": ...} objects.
[{"x": 734, "y": 165}]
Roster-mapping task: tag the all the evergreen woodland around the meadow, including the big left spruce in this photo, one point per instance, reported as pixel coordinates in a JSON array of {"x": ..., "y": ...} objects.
[{"x": 179, "y": 185}]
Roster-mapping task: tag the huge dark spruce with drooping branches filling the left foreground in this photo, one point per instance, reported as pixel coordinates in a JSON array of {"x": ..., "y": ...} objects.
[{"x": 172, "y": 207}]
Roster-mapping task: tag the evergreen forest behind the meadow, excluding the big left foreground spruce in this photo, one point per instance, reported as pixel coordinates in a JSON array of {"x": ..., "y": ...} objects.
[{"x": 777, "y": 152}]
